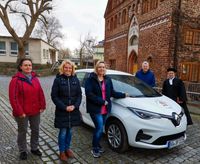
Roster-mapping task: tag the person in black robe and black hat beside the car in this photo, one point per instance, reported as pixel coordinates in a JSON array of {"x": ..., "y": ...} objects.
[{"x": 174, "y": 88}]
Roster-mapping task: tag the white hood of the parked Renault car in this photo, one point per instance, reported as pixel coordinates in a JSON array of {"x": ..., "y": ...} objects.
[{"x": 161, "y": 105}]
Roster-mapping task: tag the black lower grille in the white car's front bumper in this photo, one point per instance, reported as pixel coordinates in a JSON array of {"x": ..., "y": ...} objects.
[{"x": 163, "y": 140}]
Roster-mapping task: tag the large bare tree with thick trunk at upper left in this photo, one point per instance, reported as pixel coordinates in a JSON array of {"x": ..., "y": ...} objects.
[{"x": 30, "y": 11}]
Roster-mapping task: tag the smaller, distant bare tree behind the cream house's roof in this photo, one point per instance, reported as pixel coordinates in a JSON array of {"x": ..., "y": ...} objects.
[{"x": 50, "y": 31}]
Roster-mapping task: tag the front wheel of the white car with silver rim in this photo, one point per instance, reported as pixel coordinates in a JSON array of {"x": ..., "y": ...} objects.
[{"x": 116, "y": 136}]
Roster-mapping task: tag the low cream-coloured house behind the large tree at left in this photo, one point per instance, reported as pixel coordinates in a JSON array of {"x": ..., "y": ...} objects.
[{"x": 37, "y": 49}]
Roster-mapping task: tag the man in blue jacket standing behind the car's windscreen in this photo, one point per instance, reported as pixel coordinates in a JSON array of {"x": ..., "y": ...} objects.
[{"x": 146, "y": 75}]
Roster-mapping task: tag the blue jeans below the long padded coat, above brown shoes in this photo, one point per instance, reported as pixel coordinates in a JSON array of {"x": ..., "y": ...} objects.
[{"x": 64, "y": 139}]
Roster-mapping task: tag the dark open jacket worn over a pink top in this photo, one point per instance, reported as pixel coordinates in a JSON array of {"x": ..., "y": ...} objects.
[{"x": 94, "y": 99}]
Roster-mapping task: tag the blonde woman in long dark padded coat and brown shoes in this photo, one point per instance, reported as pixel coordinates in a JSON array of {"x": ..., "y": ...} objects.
[{"x": 66, "y": 95}]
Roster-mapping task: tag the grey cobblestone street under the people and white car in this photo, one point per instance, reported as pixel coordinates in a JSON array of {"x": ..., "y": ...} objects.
[{"x": 81, "y": 140}]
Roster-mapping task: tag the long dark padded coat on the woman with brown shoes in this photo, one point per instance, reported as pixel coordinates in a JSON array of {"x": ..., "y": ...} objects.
[{"x": 66, "y": 91}]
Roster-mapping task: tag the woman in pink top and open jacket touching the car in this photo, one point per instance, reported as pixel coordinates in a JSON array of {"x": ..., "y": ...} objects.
[{"x": 99, "y": 90}]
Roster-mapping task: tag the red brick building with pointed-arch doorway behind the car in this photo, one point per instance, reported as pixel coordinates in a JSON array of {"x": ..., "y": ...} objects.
[{"x": 164, "y": 32}]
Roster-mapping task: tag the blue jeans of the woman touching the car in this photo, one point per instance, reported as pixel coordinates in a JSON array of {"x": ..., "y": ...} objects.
[{"x": 99, "y": 122}]
